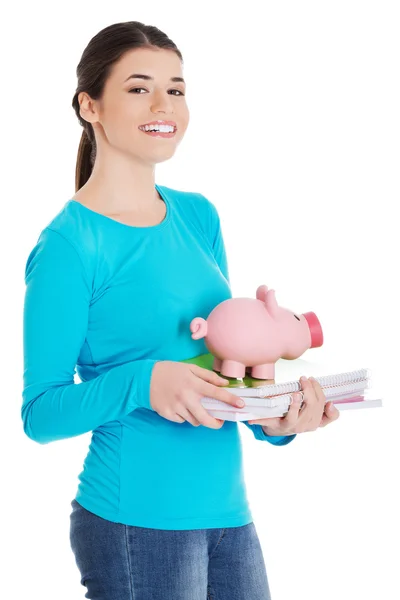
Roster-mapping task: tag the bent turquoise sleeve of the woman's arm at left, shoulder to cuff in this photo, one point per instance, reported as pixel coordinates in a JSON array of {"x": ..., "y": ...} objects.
[{"x": 56, "y": 309}]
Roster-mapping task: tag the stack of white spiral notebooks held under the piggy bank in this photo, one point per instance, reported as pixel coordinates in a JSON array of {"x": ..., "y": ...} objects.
[{"x": 348, "y": 390}]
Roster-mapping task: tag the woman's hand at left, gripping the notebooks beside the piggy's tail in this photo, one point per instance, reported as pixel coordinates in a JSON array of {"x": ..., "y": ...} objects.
[{"x": 176, "y": 389}]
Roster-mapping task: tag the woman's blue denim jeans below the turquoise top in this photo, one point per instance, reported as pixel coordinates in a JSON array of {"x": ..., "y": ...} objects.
[{"x": 124, "y": 562}]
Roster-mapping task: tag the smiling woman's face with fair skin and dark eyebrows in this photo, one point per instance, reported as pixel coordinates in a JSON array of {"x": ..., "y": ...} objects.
[{"x": 130, "y": 102}]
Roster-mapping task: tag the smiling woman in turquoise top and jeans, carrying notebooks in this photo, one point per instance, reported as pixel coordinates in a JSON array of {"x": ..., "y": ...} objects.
[{"x": 111, "y": 287}]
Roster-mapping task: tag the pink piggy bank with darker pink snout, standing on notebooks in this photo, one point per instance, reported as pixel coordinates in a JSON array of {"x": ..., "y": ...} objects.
[{"x": 255, "y": 333}]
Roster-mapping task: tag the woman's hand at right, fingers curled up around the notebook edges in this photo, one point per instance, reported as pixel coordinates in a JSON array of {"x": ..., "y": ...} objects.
[{"x": 315, "y": 412}]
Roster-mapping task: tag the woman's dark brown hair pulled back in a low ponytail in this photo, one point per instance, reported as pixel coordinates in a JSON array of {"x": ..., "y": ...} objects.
[{"x": 96, "y": 62}]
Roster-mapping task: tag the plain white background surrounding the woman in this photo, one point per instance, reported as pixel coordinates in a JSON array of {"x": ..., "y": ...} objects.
[{"x": 294, "y": 136}]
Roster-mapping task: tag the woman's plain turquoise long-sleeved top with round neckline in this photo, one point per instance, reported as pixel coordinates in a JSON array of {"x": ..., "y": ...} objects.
[{"x": 111, "y": 300}]
